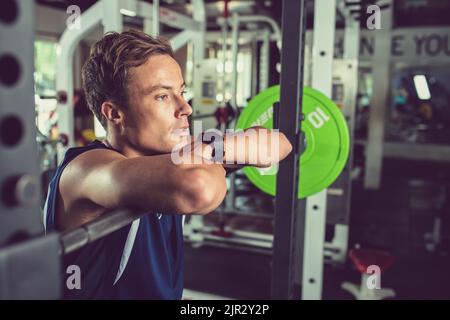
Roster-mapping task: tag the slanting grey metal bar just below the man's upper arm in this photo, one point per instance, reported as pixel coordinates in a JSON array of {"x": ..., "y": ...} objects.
[{"x": 103, "y": 226}]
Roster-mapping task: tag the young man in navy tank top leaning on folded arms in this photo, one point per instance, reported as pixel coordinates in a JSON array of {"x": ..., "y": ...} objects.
[{"x": 135, "y": 88}]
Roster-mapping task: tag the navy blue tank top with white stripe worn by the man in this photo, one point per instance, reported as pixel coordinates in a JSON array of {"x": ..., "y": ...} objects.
[{"x": 143, "y": 260}]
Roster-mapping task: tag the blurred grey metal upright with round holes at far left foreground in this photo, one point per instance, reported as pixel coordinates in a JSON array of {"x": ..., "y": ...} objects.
[{"x": 29, "y": 265}]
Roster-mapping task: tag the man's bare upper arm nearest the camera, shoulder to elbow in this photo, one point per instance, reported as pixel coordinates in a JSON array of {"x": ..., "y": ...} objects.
[{"x": 152, "y": 183}]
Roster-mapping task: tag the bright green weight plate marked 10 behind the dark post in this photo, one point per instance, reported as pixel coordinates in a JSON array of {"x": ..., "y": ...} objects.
[{"x": 326, "y": 134}]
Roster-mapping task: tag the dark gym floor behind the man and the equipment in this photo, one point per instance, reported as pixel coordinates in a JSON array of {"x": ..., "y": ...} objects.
[{"x": 391, "y": 224}]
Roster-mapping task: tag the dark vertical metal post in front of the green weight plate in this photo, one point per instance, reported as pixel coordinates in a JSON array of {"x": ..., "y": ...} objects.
[{"x": 293, "y": 26}]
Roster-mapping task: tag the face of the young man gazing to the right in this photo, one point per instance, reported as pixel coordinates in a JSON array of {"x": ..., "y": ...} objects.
[{"x": 156, "y": 119}]
